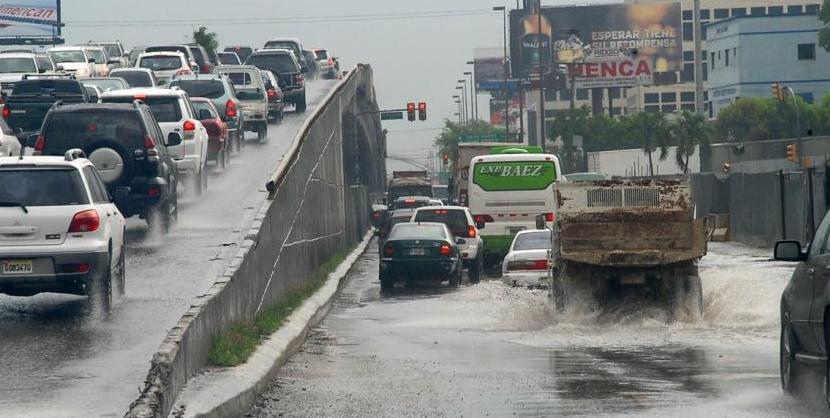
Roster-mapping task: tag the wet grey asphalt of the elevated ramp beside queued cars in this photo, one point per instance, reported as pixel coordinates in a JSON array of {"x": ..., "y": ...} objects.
[{"x": 58, "y": 360}]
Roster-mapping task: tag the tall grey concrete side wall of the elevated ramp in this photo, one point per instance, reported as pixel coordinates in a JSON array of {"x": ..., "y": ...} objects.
[{"x": 310, "y": 215}]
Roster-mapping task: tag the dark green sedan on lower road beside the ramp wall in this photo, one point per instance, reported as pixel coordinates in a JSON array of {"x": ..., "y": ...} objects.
[{"x": 420, "y": 251}]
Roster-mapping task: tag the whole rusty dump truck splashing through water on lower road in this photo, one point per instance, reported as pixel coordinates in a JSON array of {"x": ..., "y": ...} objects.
[{"x": 613, "y": 234}]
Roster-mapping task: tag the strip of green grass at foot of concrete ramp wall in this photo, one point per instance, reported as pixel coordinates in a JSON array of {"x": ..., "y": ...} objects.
[{"x": 234, "y": 346}]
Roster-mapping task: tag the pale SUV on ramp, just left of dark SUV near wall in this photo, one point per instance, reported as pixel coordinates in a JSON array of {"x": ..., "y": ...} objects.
[{"x": 253, "y": 98}]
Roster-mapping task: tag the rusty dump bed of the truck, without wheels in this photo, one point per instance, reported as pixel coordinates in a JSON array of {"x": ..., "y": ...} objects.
[{"x": 628, "y": 223}]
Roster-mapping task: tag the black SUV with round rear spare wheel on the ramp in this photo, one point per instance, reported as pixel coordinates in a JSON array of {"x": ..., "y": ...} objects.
[{"x": 126, "y": 145}]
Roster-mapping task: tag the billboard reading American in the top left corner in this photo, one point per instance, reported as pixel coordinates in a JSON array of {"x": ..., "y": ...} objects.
[{"x": 36, "y": 21}]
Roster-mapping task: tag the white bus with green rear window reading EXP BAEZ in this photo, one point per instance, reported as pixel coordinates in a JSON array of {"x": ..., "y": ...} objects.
[{"x": 507, "y": 191}]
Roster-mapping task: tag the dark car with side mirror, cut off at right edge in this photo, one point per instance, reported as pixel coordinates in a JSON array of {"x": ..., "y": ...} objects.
[{"x": 805, "y": 311}]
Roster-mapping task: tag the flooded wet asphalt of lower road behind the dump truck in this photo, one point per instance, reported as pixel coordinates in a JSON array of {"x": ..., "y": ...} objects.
[{"x": 490, "y": 350}]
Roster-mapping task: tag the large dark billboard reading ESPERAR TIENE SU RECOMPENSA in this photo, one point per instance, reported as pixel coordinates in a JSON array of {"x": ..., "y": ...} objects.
[{"x": 612, "y": 45}]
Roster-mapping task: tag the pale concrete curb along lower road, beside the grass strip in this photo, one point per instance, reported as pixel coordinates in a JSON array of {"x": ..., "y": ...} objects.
[{"x": 233, "y": 391}]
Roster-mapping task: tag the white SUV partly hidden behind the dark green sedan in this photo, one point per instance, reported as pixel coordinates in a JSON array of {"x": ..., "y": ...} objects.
[{"x": 460, "y": 222}]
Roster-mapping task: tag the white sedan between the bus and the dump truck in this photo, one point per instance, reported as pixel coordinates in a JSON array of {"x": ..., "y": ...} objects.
[{"x": 526, "y": 263}]
